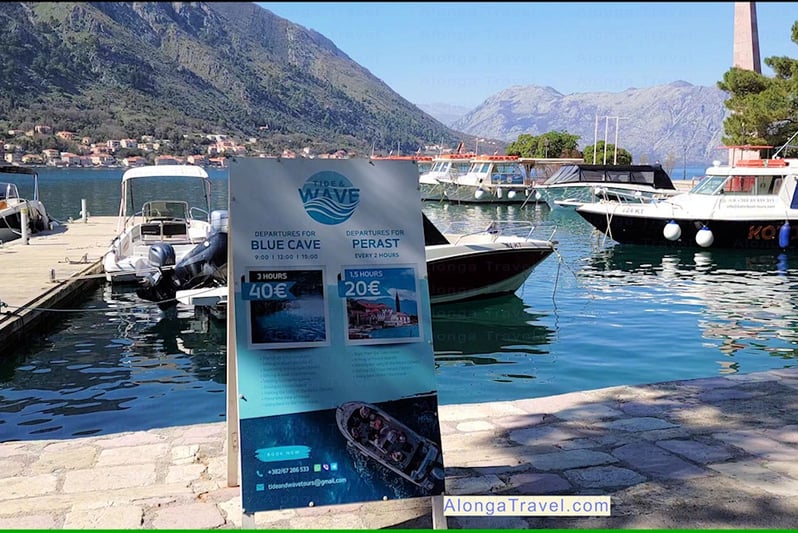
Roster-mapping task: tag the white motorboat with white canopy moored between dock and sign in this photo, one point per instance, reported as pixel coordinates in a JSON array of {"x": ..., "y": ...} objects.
[{"x": 159, "y": 204}]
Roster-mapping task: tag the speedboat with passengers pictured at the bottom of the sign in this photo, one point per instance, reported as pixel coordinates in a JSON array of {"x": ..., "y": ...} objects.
[{"x": 392, "y": 444}]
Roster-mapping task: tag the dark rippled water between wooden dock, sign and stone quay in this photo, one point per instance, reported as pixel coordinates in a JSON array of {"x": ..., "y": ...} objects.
[{"x": 115, "y": 366}]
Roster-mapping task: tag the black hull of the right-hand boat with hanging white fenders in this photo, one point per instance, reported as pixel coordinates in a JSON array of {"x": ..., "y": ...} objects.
[{"x": 742, "y": 234}]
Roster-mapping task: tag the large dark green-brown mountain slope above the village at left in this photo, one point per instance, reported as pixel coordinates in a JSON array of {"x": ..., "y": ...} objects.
[{"x": 114, "y": 69}]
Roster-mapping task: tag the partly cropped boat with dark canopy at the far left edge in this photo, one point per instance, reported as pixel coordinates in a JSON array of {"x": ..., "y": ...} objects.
[{"x": 13, "y": 207}]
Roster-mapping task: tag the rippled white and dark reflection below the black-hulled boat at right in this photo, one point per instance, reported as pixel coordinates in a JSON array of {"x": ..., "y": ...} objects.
[{"x": 746, "y": 298}]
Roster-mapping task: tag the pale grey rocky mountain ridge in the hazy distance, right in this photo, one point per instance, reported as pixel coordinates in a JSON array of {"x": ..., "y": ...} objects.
[{"x": 676, "y": 121}]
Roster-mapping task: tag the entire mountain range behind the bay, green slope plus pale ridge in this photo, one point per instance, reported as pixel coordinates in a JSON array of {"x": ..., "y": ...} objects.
[{"x": 177, "y": 70}]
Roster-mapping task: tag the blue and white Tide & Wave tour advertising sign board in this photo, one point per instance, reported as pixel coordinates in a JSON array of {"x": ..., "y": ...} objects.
[{"x": 337, "y": 395}]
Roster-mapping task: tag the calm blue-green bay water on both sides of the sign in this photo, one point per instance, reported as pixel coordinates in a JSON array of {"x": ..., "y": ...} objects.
[{"x": 594, "y": 315}]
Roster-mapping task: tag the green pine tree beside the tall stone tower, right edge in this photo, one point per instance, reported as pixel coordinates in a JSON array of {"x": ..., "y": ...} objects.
[{"x": 764, "y": 110}]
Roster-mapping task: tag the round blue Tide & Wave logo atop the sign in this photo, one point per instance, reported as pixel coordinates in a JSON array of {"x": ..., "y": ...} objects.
[{"x": 329, "y": 197}]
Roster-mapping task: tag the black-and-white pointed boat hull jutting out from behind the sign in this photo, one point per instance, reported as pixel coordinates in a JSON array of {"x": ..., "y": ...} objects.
[{"x": 470, "y": 272}]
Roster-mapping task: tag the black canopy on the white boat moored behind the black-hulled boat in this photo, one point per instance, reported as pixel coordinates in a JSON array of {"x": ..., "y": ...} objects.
[{"x": 652, "y": 175}]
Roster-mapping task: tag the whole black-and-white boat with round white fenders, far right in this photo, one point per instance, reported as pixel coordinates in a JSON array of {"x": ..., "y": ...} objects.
[{"x": 752, "y": 203}]
